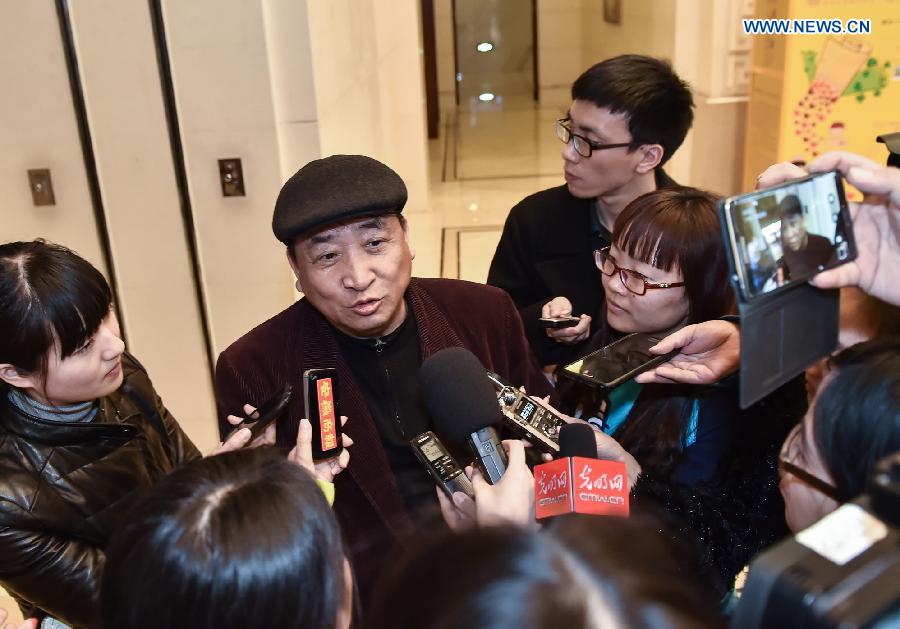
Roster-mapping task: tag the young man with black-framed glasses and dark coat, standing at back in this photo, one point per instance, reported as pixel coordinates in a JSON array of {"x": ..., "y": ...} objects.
[{"x": 628, "y": 116}]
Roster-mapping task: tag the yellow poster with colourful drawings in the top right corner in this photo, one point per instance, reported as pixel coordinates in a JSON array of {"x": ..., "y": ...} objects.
[{"x": 838, "y": 90}]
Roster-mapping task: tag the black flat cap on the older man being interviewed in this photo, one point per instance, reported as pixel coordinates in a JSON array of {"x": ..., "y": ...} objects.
[{"x": 333, "y": 189}]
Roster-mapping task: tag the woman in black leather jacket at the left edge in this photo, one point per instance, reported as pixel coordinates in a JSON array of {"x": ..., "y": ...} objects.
[{"x": 81, "y": 429}]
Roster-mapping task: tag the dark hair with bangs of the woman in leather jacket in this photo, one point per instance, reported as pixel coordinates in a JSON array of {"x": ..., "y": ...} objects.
[{"x": 48, "y": 294}]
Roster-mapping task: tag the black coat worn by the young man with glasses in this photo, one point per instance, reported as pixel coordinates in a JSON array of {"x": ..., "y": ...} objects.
[{"x": 547, "y": 251}]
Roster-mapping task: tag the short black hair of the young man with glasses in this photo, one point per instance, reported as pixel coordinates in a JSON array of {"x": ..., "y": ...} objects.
[{"x": 659, "y": 105}]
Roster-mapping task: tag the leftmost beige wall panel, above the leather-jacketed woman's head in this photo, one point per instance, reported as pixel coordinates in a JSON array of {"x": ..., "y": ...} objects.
[{"x": 38, "y": 129}]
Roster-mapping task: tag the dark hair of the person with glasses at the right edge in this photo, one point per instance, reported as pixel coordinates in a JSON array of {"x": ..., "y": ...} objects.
[{"x": 856, "y": 419}]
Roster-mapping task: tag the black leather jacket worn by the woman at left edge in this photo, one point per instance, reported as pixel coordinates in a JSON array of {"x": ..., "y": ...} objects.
[{"x": 63, "y": 487}]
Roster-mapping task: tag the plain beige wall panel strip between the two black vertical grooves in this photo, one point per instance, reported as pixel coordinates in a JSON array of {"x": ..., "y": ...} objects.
[{"x": 125, "y": 109}]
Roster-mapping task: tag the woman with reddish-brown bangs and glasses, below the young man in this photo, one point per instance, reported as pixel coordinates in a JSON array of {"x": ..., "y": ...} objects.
[{"x": 665, "y": 269}]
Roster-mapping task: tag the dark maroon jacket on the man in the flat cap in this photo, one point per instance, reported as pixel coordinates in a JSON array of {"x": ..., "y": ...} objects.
[{"x": 368, "y": 504}]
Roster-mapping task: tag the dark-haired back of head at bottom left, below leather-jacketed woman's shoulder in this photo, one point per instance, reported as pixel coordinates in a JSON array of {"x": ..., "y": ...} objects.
[{"x": 243, "y": 539}]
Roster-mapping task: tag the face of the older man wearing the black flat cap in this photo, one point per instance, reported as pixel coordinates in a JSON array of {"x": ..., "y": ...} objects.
[{"x": 356, "y": 273}]
